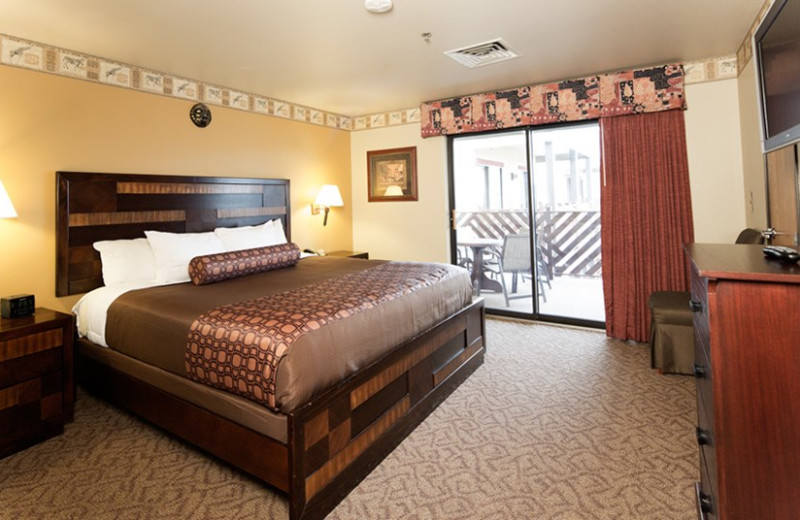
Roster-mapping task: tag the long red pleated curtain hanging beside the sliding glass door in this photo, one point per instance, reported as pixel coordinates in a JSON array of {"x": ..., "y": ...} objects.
[{"x": 646, "y": 215}]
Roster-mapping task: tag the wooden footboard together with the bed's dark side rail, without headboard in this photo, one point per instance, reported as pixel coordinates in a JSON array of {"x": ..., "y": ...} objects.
[{"x": 336, "y": 439}]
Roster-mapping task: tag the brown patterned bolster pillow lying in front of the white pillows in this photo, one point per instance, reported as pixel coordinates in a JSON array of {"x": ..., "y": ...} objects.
[{"x": 233, "y": 264}]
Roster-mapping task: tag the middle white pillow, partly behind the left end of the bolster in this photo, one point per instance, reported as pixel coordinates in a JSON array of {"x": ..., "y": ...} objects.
[{"x": 174, "y": 251}]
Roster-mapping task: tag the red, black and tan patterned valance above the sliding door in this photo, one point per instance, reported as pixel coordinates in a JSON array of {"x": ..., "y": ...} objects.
[{"x": 606, "y": 95}]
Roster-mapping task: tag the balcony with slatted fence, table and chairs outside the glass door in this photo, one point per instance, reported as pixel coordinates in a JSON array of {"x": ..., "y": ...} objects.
[{"x": 568, "y": 271}]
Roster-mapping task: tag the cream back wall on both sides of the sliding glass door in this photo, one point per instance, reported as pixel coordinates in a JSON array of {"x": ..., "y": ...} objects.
[{"x": 418, "y": 230}]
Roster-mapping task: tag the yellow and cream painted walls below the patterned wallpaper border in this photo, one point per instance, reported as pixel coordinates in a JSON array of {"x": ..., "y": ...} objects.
[{"x": 52, "y": 123}]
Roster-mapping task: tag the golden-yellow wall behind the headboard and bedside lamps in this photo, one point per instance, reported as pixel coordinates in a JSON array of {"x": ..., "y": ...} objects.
[{"x": 50, "y": 123}]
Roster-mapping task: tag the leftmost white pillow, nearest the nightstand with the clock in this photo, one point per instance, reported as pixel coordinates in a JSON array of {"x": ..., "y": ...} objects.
[{"x": 126, "y": 261}]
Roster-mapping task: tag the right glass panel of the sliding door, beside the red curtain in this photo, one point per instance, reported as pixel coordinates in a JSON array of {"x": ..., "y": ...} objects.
[{"x": 566, "y": 190}]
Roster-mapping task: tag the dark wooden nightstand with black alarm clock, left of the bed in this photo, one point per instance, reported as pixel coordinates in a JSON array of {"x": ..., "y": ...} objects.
[{"x": 37, "y": 393}]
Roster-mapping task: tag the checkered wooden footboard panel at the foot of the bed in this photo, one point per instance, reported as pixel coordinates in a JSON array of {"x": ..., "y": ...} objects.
[{"x": 339, "y": 438}]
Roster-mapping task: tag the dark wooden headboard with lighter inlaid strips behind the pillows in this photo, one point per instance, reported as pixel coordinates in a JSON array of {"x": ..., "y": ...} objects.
[{"x": 108, "y": 206}]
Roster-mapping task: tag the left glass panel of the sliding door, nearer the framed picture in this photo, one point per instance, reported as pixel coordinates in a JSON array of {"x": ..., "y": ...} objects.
[{"x": 491, "y": 207}]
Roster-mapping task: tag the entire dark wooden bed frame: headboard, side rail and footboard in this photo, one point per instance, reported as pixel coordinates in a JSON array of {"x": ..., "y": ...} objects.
[{"x": 337, "y": 438}]
